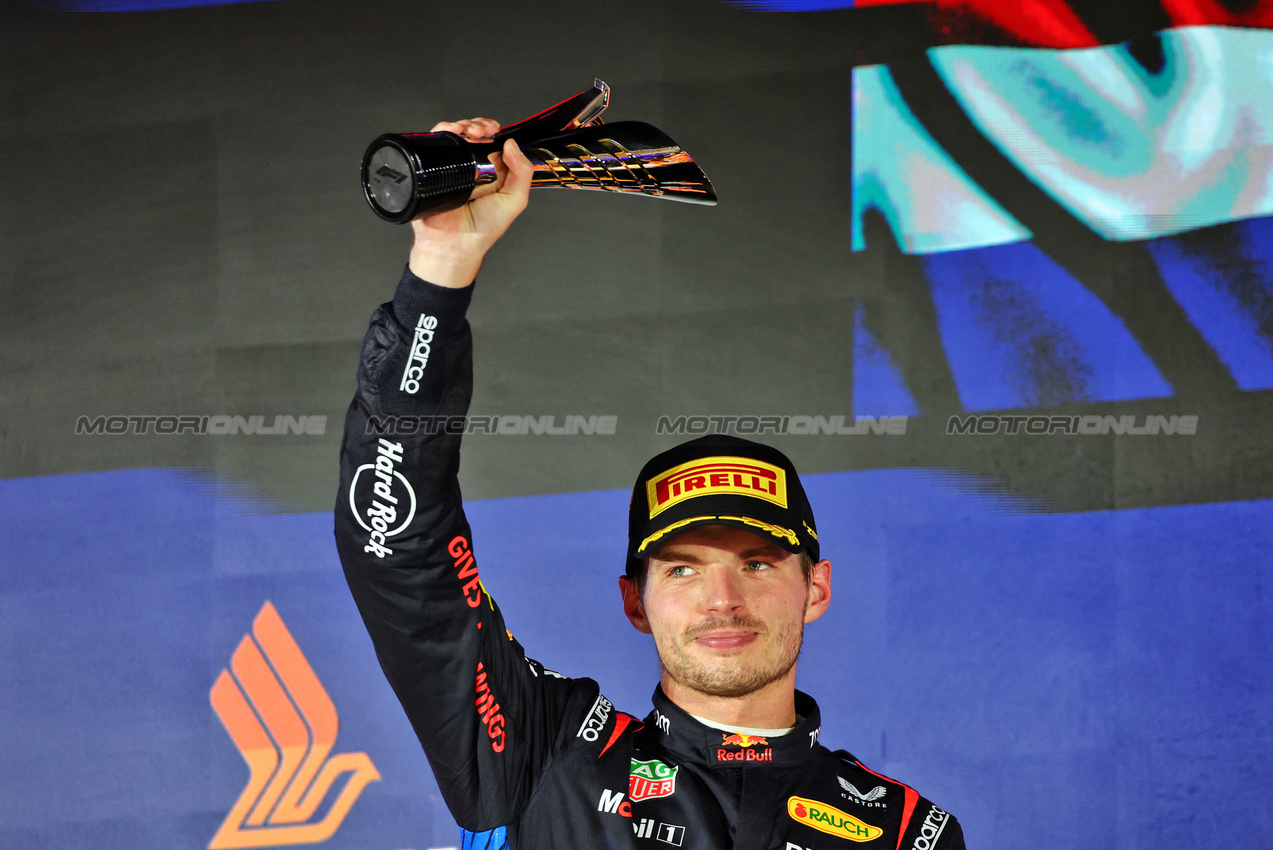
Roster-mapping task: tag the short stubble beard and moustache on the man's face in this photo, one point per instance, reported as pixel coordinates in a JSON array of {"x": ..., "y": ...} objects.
[{"x": 730, "y": 676}]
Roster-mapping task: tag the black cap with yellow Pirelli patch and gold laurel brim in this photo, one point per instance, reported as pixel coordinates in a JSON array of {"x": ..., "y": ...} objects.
[{"x": 720, "y": 480}]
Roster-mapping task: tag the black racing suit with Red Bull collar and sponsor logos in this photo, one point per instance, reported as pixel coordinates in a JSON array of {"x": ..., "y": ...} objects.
[{"x": 512, "y": 744}]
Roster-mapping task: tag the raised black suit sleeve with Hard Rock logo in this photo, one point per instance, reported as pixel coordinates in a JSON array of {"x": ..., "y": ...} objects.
[{"x": 489, "y": 718}]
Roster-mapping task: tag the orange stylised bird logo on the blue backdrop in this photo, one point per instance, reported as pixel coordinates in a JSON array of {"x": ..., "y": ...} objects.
[{"x": 285, "y": 725}]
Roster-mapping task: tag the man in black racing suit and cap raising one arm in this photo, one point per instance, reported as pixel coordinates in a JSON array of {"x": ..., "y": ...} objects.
[{"x": 724, "y": 572}]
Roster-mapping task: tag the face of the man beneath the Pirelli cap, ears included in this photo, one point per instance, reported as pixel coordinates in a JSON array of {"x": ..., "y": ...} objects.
[{"x": 728, "y": 609}]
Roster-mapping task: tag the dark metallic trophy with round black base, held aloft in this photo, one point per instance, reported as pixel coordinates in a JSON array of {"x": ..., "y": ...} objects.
[{"x": 413, "y": 174}]
